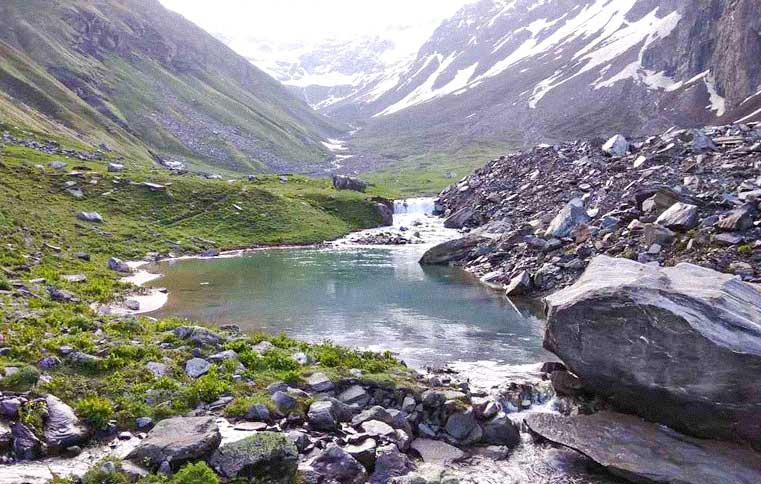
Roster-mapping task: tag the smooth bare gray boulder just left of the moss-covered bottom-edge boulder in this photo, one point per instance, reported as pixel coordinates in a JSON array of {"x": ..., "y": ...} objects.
[{"x": 178, "y": 440}]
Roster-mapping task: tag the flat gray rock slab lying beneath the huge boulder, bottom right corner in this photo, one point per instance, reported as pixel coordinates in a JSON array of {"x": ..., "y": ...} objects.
[{"x": 641, "y": 451}]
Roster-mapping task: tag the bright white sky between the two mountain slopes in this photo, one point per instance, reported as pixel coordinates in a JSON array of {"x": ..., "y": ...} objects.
[{"x": 312, "y": 20}]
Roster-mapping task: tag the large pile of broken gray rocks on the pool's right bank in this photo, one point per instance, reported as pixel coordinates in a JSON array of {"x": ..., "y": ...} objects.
[{"x": 682, "y": 196}]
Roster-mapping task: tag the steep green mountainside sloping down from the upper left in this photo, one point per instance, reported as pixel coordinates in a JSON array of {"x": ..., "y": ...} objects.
[{"x": 142, "y": 79}]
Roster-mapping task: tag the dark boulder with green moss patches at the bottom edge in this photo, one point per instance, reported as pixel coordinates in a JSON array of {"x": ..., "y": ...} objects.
[{"x": 263, "y": 457}]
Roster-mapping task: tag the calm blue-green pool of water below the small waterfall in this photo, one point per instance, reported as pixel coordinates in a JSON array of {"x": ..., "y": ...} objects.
[{"x": 377, "y": 298}]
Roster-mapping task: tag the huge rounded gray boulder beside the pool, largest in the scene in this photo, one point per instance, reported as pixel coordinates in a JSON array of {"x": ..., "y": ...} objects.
[{"x": 677, "y": 345}]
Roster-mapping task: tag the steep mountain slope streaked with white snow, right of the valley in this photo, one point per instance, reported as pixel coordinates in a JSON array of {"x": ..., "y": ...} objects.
[{"x": 527, "y": 71}]
